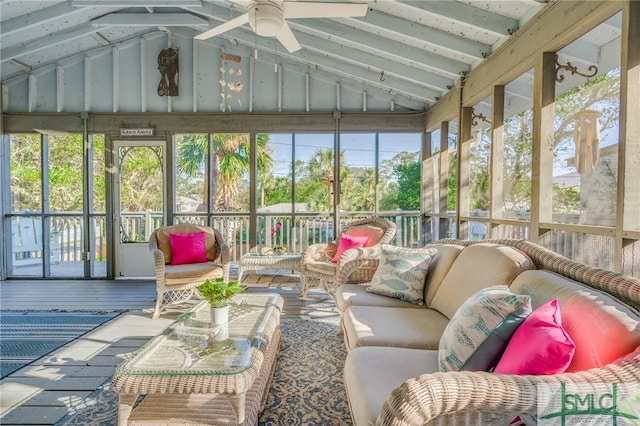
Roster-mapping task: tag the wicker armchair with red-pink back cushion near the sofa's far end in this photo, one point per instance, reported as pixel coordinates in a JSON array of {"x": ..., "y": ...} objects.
[{"x": 356, "y": 265}]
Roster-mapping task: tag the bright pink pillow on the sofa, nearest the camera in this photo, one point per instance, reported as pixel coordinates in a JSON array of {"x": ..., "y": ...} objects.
[{"x": 539, "y": 345}]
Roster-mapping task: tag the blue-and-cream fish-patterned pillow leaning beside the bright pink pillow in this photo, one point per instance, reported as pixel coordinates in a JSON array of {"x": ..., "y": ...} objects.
[{"x": 480, "y": 329}]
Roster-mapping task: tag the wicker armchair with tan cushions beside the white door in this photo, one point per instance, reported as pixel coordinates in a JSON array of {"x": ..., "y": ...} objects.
[{"x": 176, "y": 283}]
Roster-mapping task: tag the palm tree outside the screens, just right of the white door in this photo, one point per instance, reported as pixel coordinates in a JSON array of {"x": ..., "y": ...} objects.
[{"x": 231, "y": 161}]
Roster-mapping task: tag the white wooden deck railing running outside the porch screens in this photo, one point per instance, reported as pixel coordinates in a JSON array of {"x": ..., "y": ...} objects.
[{"x": 65, "y": 235}]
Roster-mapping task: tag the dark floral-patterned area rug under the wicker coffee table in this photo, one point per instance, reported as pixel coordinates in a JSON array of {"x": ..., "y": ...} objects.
[{"x": 307, "y": 386}]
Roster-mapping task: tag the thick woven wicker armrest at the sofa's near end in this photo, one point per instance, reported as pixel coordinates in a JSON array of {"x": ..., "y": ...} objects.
[{"x": 480, "y": 397}]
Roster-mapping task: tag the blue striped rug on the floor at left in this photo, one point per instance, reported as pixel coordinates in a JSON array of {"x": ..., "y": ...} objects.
[{"x": 27, "y": 336}]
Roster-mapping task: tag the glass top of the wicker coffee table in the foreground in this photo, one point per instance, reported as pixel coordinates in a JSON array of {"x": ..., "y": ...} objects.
[{"x": 191, "y": 346}]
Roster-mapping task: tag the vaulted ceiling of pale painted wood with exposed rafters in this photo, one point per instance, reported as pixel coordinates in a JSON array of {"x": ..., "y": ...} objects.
[{"x": 409, "y": 51}]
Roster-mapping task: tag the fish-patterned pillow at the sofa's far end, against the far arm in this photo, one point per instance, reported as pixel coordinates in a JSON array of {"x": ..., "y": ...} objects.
[{"x": 402, "y": 273}]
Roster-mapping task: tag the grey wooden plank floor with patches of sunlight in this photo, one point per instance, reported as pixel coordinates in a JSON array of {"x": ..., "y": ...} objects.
[{"x": 42, "y": 392}]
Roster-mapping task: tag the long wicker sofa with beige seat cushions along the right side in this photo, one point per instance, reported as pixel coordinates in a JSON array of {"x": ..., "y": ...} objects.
[{"x": 392, "y": 375}]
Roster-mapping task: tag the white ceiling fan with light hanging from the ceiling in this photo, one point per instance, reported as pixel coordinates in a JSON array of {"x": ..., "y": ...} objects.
[{"x": 267, "y": 18}]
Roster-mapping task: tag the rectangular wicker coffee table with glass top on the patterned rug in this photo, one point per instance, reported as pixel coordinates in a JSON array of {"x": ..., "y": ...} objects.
[{"x": 195, "y": 374}]
